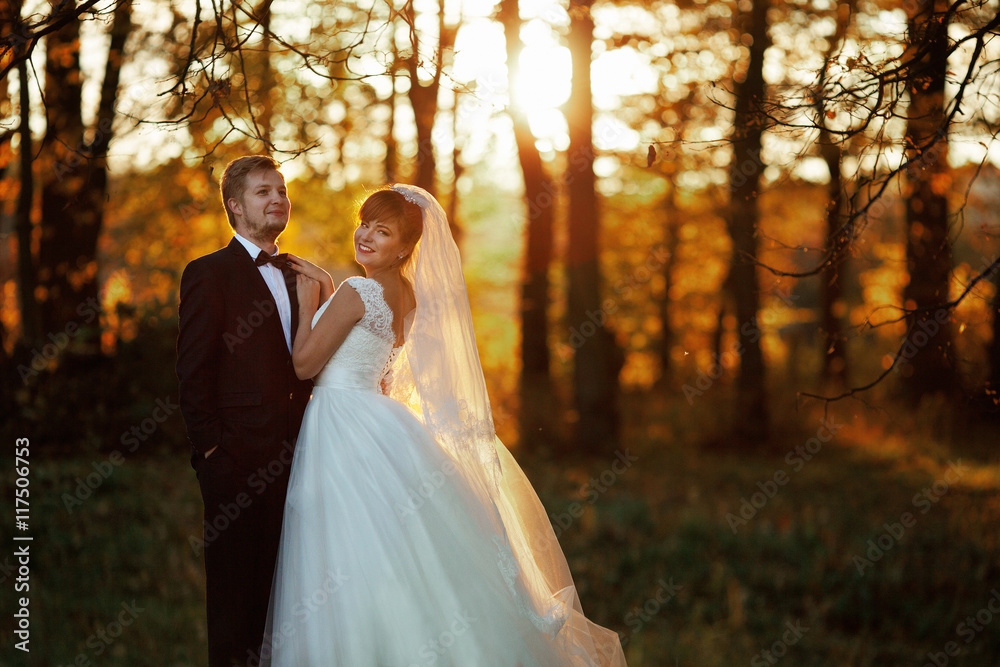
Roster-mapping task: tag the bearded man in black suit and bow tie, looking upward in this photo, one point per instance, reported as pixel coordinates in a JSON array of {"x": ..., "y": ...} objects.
[{"x": 242, "y": 402}]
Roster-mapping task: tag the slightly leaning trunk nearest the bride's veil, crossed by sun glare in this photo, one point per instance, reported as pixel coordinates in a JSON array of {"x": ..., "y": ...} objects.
[{"x": 536, "y": 395}]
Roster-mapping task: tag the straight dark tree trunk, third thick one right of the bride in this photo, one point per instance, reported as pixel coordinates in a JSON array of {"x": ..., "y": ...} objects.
[{"x": 744, "y": 179}]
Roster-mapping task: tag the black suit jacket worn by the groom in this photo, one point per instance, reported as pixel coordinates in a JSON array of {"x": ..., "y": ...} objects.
[{"x": 238, "y": 389}]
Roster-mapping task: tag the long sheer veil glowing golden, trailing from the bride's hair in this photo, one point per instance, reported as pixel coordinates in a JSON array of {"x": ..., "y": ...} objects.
[{"x": 438, "y": 375}]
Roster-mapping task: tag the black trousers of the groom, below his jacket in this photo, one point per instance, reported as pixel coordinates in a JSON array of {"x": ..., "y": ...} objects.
[{"x": 243, "y": 511}]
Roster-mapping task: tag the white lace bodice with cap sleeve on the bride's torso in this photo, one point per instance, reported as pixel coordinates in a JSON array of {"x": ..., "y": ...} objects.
[{"x": 363, "y": 357}]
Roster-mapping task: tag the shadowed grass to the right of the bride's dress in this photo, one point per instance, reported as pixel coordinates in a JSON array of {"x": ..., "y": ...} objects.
[{"x": 794, "y": 561}]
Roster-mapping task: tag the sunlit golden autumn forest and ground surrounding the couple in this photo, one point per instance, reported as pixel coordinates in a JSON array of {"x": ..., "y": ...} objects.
[{"x": 733, "y": 267}]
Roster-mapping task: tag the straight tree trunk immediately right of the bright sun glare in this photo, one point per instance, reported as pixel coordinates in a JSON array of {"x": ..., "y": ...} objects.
[{"x": 597, "y": 359}]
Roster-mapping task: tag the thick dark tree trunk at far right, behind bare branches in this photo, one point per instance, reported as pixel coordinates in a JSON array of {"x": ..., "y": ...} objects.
[{"x": 928, "y": 349}]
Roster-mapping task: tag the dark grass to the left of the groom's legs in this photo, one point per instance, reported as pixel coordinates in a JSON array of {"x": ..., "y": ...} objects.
[{"x": 113, "y": 581}]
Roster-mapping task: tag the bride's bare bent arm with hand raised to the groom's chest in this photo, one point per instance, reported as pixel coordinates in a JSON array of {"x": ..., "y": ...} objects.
[{"x": 313, "y": 346}]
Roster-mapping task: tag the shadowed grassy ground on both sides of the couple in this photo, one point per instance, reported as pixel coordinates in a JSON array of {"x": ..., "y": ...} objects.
[{"x": 846, "y": 553}]
